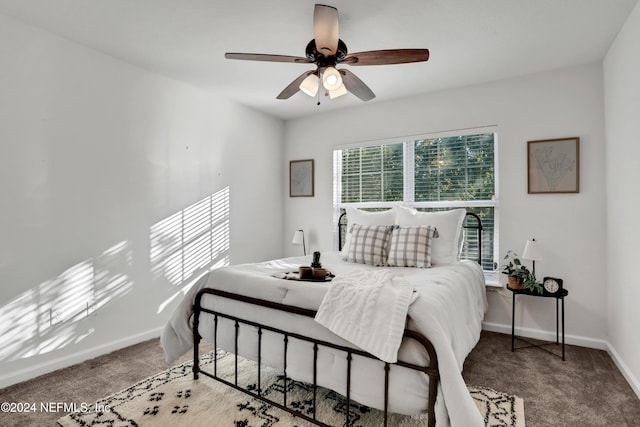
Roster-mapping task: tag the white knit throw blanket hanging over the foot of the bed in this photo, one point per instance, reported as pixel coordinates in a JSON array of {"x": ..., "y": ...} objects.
[{"x": 368, "y": 309}]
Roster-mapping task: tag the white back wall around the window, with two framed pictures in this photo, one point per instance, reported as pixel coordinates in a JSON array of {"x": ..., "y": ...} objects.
[{"x": 569, "y": 227}]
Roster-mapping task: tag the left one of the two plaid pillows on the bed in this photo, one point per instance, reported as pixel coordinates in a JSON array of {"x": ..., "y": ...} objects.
[{"x": 369, "y": 244}]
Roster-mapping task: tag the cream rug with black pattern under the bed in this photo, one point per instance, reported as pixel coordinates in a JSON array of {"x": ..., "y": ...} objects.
[{"x": 172, "y": 398}]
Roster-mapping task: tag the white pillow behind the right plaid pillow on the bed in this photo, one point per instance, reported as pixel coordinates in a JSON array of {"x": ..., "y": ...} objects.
[{"x": 445, "y": 249}]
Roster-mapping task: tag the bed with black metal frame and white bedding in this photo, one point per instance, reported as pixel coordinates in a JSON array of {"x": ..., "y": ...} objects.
[{"x": 251, "y": 311}]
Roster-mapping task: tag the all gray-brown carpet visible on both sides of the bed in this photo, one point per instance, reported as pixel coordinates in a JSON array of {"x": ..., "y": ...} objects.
[{"x": 586, "y": 390}]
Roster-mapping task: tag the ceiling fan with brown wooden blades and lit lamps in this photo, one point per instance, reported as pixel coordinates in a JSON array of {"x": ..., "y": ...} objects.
[{"x": 326, "y": 50}]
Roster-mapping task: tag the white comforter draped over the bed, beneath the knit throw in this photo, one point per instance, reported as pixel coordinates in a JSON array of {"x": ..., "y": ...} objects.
[{"x": 448, "y": 310}]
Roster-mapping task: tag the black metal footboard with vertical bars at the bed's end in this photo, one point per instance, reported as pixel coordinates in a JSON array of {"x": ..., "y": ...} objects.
[{"x": 431, "y": 370}]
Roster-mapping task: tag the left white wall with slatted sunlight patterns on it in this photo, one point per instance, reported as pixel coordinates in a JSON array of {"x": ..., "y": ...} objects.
[{"x": 95, "y": 154}]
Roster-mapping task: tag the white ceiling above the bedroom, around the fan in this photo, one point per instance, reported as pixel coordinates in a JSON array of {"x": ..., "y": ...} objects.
[{"x": 470, "y": 41}]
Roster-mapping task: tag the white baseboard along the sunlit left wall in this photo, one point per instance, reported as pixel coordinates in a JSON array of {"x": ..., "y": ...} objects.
[{"x": 71, "y": 359}]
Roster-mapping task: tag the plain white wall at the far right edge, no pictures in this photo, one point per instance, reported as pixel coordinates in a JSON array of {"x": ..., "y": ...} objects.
[{"x": 622, "y": 104}]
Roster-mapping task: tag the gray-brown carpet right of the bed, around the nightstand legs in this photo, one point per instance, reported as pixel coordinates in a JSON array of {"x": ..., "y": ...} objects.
[{"x": 586, "y": 390}]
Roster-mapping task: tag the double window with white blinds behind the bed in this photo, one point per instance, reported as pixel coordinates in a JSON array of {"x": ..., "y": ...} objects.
[{"x": 430, "y": 172}]
